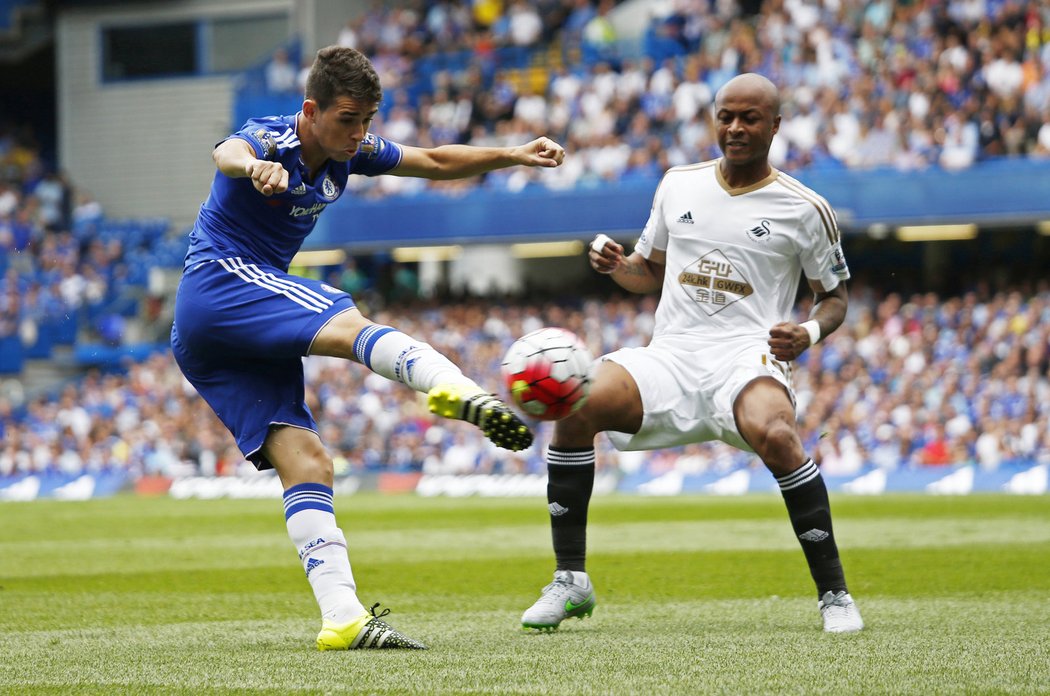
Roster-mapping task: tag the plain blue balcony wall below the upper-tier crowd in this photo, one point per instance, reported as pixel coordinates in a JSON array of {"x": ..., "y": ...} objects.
[{"x": 1002, "y": 192}]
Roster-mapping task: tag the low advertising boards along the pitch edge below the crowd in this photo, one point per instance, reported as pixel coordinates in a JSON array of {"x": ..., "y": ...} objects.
[{"x": 1018, "y": 479}]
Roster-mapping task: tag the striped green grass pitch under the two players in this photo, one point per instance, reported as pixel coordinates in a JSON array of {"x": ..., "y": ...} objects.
[{"x": 697, "y": 596}]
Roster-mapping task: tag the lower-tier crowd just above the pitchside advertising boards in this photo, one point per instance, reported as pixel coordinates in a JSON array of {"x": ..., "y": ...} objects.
[{"x": 908, "y": 383}]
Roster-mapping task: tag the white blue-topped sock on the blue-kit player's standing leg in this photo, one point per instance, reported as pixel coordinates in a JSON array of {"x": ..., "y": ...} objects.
[{"x": 310, "y": 516}]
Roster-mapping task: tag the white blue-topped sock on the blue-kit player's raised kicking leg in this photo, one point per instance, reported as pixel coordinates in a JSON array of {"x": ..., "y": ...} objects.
[{"x": 388, "y": 352}]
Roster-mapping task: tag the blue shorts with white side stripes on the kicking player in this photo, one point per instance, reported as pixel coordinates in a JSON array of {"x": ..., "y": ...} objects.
[{"x": 240, "y": 335}]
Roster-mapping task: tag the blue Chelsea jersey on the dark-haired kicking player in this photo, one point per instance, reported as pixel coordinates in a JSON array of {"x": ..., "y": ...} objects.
[{"x": 239, "y": 221}]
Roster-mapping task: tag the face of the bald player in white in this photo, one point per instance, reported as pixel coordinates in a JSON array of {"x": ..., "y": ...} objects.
[{"x": 746, "y": 125}]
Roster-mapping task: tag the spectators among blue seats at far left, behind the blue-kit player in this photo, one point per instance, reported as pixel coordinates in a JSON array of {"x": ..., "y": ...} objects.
[{"x": 66, "y": 271}]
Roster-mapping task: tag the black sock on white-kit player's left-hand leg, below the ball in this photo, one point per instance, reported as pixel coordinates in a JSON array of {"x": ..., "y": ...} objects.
[{"x": 571, "y": 478}]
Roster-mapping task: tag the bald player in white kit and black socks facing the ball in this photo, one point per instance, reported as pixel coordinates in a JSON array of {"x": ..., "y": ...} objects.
[{"x": 726, "y": 245}]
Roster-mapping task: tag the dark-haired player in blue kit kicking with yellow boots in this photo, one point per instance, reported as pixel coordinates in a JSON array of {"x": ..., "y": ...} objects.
[{"x": 243, "y": 325}]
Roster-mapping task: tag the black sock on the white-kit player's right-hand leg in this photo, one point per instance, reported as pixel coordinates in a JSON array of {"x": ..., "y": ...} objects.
[{"x": 810, "y": 511}]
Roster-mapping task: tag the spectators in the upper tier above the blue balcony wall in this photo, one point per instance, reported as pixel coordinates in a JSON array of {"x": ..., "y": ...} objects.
[{"x": 866, "y": 85}]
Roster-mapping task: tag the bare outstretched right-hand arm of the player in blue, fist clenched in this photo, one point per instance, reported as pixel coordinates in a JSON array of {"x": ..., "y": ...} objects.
[{"x": 463, "y": 161}]
